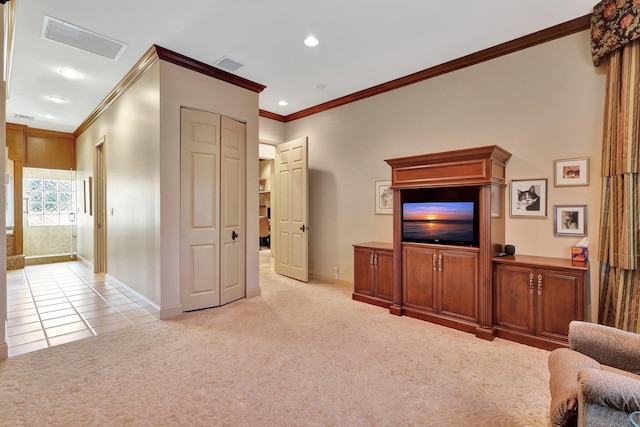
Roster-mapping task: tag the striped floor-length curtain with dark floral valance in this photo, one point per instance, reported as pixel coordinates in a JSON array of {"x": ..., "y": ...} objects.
[{"x": 614, "y": 29}]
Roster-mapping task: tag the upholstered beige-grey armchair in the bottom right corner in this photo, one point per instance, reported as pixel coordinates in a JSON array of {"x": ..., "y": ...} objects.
[{"x": 595, "y": 381}]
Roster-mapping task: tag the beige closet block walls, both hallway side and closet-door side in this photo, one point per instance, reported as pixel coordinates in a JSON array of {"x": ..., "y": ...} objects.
[{"x": 142, "y": 148}]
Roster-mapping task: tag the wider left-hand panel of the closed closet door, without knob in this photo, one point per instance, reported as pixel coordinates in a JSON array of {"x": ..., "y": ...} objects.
[{"x": 199, "y": 210}]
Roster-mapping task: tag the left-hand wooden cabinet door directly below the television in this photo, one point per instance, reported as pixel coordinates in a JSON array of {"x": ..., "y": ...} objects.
[{"x": 419, "y": 277}]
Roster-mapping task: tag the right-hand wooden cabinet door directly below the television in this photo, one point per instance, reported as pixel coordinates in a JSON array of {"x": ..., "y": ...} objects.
[{"x": 458, "y": 277}]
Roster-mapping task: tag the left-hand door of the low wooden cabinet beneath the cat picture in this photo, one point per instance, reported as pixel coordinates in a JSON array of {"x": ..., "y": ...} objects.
[{"x": 515, "y": 291}]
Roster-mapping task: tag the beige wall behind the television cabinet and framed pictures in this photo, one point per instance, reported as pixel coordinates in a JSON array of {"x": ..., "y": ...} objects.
[{"x": 541, "y": 104}]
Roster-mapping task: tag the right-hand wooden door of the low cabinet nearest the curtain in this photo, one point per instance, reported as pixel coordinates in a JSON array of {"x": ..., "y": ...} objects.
[{"x": 559, "y": 299}]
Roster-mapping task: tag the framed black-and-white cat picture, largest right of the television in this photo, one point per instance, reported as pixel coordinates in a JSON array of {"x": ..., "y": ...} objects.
[{"x": 528, "y": 198}]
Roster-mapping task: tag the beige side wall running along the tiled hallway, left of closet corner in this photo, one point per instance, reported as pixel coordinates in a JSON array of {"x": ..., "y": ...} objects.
[{"x": 132, "y": 152}]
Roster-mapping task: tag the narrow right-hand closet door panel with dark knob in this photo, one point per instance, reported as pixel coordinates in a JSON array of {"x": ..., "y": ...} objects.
[{"x": 232, "y": 238}]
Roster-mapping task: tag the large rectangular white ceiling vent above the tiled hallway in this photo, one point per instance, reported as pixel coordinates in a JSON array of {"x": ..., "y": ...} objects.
[{"x": 78, "y": 38}]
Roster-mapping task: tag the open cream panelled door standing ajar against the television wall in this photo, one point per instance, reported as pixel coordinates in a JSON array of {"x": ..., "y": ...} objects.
[{"x": 291, "y": 210}]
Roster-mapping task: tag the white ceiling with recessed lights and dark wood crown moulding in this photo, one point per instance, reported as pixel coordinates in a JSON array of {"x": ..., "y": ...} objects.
[{"x": 363, "y": 43}]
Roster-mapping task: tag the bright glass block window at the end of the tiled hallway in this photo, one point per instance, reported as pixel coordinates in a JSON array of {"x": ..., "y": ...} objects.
[{"x": 50, "y": 202}]
